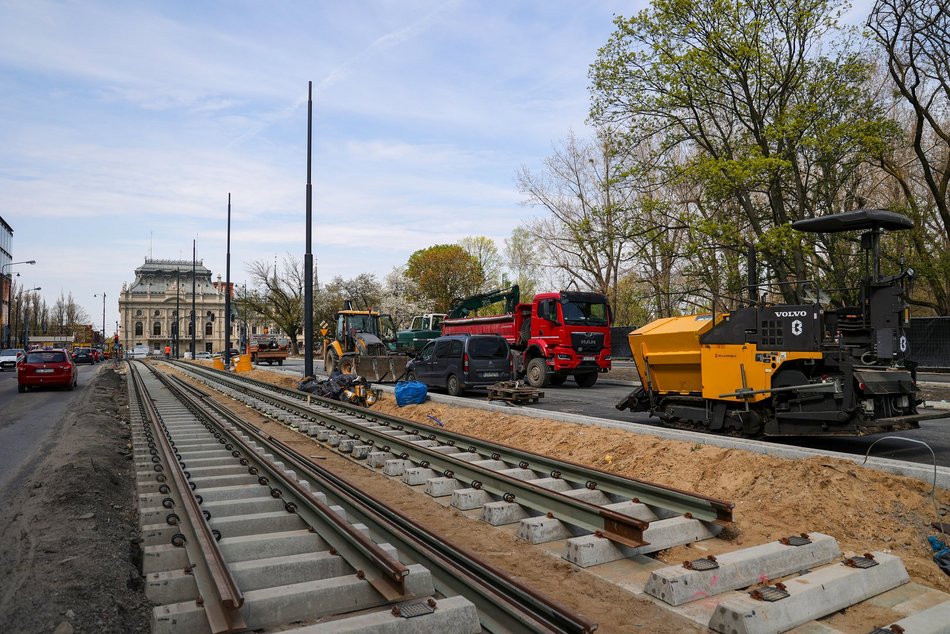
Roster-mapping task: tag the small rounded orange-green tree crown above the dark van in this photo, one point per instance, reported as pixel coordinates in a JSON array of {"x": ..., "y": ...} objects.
[{"x": 444, "y": 272}]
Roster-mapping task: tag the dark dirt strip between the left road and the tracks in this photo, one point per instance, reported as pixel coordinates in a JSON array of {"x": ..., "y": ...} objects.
[{"x": 69, "y": 546}]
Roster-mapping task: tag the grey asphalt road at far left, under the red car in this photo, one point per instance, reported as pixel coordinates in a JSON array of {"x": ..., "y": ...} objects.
[{"x": 29, "y": 422}]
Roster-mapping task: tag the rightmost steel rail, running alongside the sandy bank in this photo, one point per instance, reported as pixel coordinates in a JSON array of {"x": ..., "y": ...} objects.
[{"x": 699, "y": 506}]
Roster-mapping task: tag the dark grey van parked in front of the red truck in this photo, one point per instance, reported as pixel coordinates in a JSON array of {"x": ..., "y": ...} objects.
[{"x": 461, "y": 362}]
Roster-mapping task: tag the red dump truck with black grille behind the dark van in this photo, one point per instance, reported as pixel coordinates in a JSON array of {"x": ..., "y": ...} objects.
[{"x": 556, "y": 336}]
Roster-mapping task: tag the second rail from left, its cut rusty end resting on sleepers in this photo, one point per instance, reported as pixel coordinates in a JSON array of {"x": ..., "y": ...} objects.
[{"x": 361, "y": 552}]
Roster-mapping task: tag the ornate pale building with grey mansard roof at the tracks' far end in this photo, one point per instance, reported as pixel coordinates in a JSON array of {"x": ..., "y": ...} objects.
[{"x": 159, "y": 301}]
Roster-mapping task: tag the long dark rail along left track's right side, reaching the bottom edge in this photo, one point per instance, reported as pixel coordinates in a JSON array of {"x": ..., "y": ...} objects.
[{"x": 504, "y": 604}]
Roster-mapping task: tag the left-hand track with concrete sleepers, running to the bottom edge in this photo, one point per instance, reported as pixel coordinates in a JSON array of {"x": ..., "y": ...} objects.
[{"x": 242, "y": 532}]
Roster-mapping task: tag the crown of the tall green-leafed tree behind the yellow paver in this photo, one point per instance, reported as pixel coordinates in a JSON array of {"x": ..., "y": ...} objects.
[{"x": 740, "y": 100}]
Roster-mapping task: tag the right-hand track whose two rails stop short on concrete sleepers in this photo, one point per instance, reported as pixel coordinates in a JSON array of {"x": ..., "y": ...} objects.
[{"x": 565, "y": 497}]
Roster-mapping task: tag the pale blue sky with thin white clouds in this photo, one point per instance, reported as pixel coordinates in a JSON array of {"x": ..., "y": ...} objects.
[{"x": 126, "y": 124}]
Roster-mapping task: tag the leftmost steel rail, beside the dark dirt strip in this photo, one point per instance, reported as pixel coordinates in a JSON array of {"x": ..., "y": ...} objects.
[{"x": 211, "y": 572}]
